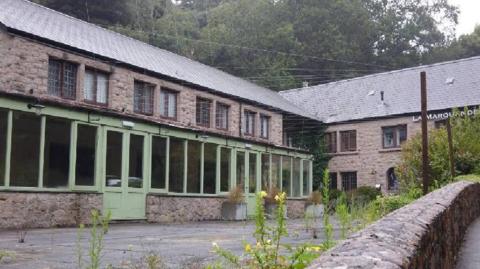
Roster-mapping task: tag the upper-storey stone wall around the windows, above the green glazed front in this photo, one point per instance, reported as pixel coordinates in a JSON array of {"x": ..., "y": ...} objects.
[{"x": 24, "y": 70}]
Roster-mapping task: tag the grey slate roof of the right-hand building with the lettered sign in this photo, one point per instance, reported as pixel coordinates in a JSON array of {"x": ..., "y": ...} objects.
[{"x": 453, "y": 84}]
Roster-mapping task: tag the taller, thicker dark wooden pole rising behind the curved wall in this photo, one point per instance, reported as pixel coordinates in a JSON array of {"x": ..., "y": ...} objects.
[{"x": 425, "y": 166}]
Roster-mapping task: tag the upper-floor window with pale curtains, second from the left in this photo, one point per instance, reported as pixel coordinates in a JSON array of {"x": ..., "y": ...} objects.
[{"x": 95, "y": 88}]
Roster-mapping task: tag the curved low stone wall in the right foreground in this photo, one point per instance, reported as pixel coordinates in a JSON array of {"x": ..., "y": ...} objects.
[{"x": 425, "y": 234}]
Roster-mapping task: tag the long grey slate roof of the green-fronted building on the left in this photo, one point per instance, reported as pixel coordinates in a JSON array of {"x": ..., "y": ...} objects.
[{"x": 26, "y": 17}]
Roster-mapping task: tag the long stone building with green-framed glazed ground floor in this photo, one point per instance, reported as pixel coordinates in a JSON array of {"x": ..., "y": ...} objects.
[{"x": 93, "y": 119}]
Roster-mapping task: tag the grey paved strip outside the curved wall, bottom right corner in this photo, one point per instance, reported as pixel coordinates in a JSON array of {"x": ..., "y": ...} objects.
[{"x": 469, "y": 257}]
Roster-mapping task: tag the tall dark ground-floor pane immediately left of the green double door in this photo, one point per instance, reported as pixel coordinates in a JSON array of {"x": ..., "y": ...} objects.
[{"x": 85, "y": 163}]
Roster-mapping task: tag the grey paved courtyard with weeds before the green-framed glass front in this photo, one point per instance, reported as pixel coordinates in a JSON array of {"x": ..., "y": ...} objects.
[{"x": 179, "y": 245}]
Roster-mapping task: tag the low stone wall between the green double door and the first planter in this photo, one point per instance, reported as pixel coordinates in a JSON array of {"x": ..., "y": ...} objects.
[{"x": 166, "y": 209}]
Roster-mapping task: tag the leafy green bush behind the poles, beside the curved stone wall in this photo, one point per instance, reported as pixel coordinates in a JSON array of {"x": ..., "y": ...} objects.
[{"x": 466, "y": 147}]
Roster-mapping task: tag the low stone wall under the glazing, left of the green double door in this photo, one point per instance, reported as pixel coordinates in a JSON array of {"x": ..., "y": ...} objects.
[{"x": 44, "y": 210}]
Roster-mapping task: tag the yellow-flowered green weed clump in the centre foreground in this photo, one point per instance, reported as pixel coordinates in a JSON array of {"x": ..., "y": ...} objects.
[{"x": 268, "y": 252}]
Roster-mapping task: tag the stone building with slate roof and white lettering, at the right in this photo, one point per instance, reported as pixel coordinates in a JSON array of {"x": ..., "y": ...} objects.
[{"x": 370, "y": 117}]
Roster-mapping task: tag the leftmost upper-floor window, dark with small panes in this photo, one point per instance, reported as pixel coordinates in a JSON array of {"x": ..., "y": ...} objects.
[{"x": 62, "y": 78}]
